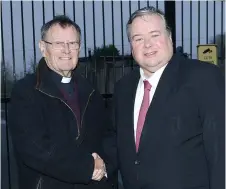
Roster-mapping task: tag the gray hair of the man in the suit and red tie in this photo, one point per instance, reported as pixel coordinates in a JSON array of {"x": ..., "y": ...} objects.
[{"x": 146, "y": 11}]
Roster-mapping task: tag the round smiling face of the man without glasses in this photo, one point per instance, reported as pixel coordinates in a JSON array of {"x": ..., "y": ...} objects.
[{"x": 151, "y": 44}]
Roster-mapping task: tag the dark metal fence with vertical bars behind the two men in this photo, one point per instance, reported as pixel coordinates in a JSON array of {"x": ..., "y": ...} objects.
[{"x": 102, "y": 23}]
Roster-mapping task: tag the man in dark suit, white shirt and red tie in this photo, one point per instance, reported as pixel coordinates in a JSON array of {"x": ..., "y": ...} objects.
[{"x": 169, "y": 114}]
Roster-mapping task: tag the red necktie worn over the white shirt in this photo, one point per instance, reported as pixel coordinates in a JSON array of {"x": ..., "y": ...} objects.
[{"x": 143, "y": 111}]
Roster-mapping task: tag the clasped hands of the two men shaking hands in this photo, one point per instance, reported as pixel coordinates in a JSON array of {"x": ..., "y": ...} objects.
[{"x": 99, "y": 168}]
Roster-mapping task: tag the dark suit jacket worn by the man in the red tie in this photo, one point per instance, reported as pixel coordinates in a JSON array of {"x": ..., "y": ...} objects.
[{"x": 182, "y": 142}]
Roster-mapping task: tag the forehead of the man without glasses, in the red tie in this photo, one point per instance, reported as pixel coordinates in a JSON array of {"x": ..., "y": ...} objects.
[{"x": 147, "y": 23}]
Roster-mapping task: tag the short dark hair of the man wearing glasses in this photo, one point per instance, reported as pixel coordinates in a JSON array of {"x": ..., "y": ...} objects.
[{"x": 63, "y": 21}]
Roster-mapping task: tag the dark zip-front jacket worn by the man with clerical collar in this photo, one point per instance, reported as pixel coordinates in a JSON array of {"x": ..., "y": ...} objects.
[{"x": 44, "y": 133}]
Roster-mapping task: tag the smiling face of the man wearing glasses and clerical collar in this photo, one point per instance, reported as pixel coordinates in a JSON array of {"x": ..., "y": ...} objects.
[{"x": 61, "y": 60}]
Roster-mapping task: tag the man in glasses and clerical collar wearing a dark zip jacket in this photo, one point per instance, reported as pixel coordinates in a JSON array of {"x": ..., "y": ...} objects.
[{"x": 57, "y": 119}]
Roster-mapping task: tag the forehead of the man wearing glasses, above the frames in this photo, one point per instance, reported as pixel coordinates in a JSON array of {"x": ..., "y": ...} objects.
[{"x": 56, "y": 32}]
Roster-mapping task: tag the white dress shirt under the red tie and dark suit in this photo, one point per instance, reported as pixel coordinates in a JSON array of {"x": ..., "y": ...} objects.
[{"x": 153, "y": 80}]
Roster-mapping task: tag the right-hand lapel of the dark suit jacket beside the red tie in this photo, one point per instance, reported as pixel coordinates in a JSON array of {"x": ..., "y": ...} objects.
[{"x": 164, "y": 90}]
